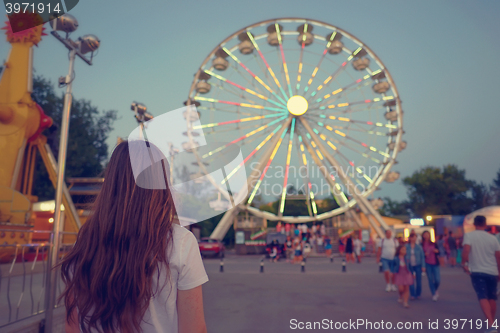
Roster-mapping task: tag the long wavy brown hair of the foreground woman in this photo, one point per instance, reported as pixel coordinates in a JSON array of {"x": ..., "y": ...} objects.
[{"x": 109, "y": 272}]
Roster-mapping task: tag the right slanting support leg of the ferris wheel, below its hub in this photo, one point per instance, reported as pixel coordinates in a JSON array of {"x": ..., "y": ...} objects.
[{"x": 362, "y": 202}]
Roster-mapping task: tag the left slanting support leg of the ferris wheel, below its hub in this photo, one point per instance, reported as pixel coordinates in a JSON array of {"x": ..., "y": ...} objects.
[{"x": 226, "y": 221}]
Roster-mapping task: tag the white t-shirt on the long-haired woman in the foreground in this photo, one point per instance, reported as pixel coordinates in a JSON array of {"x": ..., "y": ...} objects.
[{"x": 186, "y": 272}]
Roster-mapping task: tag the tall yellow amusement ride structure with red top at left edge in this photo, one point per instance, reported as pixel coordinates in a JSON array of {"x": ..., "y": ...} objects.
[{"x": 21, "y": 123}]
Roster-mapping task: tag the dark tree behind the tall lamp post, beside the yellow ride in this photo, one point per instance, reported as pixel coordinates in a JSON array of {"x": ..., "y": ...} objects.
[{"x": 89, "y": 129}]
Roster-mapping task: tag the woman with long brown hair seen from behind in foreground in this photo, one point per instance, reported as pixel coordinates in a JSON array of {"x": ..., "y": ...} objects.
[{"x": 132, "y": 268}]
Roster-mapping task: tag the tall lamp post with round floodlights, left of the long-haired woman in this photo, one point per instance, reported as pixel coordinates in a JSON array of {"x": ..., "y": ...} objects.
[{"x": 88, "y": 43}]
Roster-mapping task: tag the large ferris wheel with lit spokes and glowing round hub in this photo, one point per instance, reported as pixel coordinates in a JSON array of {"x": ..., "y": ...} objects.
[{"x": 308, "y": 103}]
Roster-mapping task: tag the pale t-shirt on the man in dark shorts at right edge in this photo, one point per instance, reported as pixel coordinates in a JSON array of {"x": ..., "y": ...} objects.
[{"x": 482, "y": 254}]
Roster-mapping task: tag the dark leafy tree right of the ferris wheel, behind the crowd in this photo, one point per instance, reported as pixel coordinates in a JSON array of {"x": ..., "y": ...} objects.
[{"x": 436, "y": 191}]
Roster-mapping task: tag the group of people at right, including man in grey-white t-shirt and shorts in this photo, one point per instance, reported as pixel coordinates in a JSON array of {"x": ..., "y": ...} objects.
[{"x": 478, "y": 253}]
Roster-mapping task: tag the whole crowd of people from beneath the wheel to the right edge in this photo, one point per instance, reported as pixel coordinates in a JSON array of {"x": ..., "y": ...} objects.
[{"x": 405, "y": 262}]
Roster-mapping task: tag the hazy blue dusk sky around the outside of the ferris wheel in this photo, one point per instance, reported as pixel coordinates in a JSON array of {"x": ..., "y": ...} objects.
[{"x": 443, "y": 56}]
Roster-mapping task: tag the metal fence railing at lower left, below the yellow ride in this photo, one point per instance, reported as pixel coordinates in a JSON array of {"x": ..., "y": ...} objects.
[{"x": 25, "y": 279}]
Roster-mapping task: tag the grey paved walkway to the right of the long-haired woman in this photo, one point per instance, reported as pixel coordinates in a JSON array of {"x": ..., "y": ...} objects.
[{"x": 243, "y": 300}]
